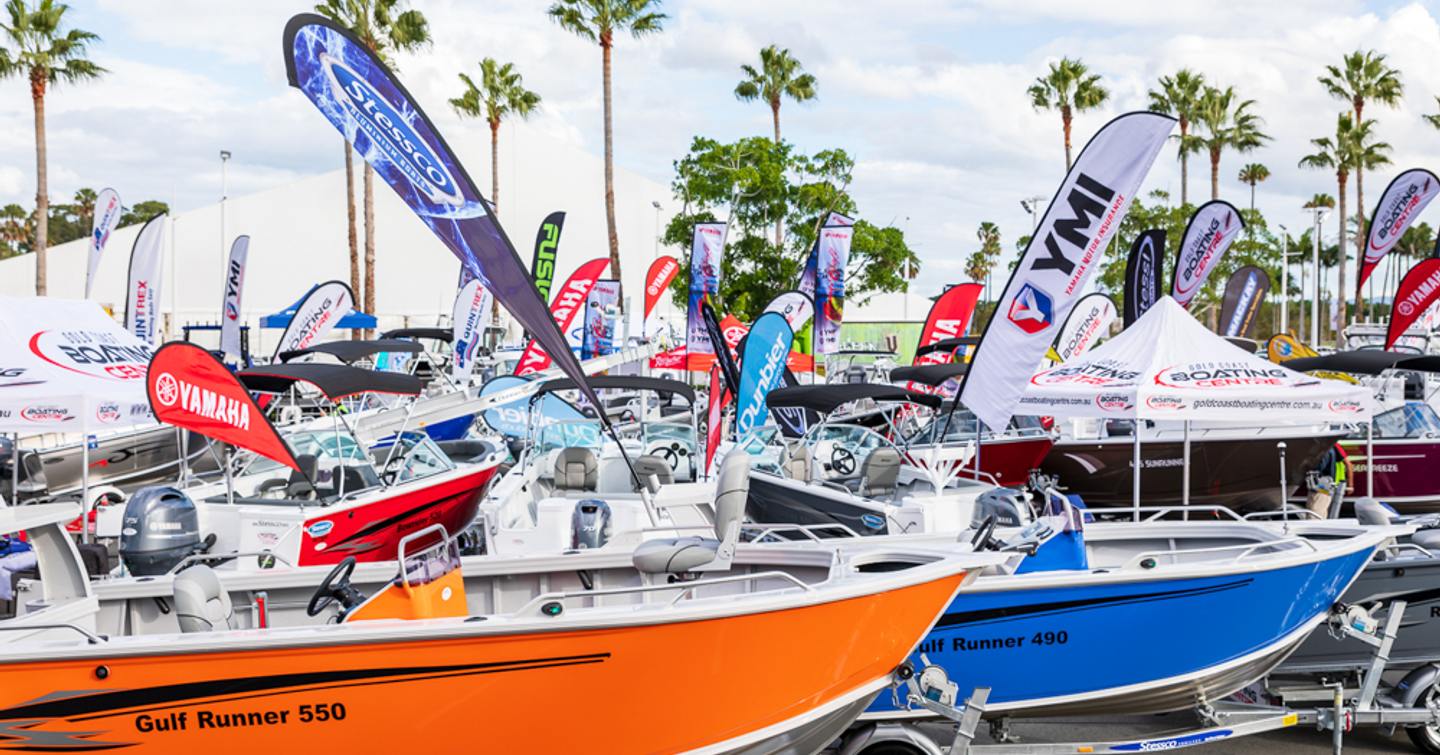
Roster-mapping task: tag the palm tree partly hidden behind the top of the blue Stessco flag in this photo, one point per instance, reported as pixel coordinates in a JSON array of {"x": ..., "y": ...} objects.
[{"x": 384, "y": 28}]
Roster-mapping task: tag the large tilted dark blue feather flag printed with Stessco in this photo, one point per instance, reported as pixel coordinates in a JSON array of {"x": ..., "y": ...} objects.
[{"x": 361, "y": 97}]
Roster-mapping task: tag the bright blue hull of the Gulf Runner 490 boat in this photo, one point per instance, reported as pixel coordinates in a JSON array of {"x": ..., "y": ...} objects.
[{"x": 1032, "y": 645}]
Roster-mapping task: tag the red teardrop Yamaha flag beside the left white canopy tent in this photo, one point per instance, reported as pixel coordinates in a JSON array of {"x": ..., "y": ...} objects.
[{"x": 192, "y": 390}]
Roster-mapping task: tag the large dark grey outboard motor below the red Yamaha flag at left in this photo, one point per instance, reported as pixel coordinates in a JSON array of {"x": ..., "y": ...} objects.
[{"x": 161, "y": 530}]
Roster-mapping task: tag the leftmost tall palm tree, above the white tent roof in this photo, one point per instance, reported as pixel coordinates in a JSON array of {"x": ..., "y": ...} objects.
[{"x": 40, "y": 50}]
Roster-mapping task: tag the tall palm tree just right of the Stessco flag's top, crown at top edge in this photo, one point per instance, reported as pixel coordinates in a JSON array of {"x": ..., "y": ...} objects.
[{"x": 598, "y": 21}]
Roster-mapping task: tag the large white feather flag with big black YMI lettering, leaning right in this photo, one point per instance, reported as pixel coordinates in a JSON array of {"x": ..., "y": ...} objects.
[{"x": 1061, "y": 260}]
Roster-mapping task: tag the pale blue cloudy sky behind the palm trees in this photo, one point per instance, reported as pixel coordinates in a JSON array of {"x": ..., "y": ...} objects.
[{"x": 927, "y": 96}]
